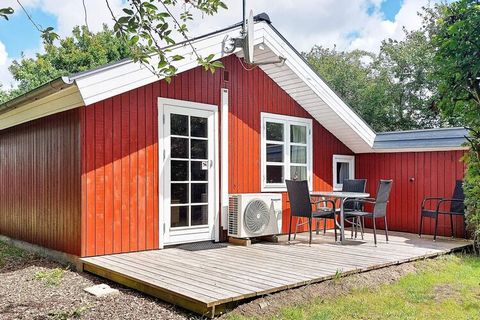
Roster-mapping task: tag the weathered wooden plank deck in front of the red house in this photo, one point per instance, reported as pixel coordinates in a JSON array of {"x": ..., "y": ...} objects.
[{"x": 208, "y": 278}]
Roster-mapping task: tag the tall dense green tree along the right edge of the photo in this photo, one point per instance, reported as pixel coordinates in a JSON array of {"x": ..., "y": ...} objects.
[{"x": 455, "y": 32}]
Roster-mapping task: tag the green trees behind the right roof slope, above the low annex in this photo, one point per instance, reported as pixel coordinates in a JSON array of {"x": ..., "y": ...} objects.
[{"x": 391, "y": 90}]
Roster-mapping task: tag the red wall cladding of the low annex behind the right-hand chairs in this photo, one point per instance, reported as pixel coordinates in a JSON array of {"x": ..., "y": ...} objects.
[{"x": 415, "y": 175}]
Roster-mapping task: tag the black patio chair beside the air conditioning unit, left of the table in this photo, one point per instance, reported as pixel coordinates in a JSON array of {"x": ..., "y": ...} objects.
[{"x": 301, "y": 206}]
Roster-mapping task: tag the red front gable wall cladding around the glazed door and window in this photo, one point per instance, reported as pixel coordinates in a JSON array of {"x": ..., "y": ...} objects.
[{"x": 120, "y": 164}]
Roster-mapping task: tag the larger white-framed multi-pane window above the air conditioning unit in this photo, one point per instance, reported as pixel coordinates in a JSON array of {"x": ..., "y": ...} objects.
[{"x": 286, "y": 150}]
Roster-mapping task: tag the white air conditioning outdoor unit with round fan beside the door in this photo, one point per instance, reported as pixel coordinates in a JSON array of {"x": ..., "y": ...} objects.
[{"x": 254, "y": 214}]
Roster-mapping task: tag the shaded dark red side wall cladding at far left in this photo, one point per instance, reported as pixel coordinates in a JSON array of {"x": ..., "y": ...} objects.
[{"x": 40, "y": 182}]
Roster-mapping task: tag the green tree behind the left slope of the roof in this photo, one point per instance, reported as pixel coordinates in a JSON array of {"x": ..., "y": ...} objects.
[{"x": 81, "y": 51}]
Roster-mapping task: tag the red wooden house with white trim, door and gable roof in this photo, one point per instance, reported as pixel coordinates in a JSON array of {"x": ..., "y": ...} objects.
[{"x": 116, "y": 160}]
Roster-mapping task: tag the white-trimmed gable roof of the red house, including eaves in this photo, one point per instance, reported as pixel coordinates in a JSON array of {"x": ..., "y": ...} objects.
[{"x": 295, "y": 76}]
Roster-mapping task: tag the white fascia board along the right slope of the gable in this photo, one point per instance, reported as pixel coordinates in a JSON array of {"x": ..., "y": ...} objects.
[{"x": 296, "y": 64}]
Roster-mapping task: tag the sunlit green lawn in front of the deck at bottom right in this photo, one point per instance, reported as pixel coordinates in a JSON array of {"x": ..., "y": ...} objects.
[{"x": 444, "y": 288}]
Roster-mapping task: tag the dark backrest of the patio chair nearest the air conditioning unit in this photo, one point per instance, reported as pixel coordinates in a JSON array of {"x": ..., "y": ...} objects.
[{"x": 299, "y": 196}]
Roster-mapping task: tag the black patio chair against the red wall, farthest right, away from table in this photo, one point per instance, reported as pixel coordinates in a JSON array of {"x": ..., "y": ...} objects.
[{"x": 457, "y": 208}]
